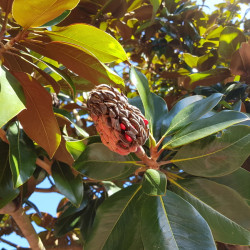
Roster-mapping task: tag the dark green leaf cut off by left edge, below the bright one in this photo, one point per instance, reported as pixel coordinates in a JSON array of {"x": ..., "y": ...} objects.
[{"x": 7, "y": 190}]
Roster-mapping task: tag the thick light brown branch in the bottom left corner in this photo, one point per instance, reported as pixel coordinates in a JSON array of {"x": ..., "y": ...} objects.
[{"x": 23, "y": 222}]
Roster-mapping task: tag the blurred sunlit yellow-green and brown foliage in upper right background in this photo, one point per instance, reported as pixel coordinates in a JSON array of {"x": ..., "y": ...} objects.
[{"x": 176, "y": 43}]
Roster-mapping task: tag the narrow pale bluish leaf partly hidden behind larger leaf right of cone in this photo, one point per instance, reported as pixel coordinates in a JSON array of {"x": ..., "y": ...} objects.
[{"x": 176, "y": 109}]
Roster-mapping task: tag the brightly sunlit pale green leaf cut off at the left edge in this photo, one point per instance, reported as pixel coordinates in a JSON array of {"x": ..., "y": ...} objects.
[{"x": 11, "y": 97}]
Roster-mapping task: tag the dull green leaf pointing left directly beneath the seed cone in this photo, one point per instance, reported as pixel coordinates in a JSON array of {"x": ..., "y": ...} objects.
[{"x": 99, "y": 163}]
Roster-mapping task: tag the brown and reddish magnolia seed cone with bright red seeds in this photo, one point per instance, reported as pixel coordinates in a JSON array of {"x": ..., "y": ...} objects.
[{"x": 122, "y": 127}]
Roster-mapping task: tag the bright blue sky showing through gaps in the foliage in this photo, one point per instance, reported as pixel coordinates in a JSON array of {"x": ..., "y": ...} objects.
[{"x": 47, "y": 202}]
